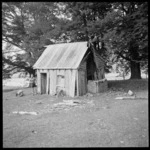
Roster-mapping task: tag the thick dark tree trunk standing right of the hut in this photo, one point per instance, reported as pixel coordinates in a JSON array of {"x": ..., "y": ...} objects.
[{"x": 135, "y": 70}]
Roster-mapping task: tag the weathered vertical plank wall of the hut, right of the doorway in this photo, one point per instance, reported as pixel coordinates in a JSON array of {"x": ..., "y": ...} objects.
[{"x": 71, "y": 77}]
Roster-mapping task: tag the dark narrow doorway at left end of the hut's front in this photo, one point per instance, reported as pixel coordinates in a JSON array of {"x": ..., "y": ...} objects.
[{"x": 43, "y": 83}]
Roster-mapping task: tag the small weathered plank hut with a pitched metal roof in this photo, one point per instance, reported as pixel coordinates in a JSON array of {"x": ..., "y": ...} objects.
[{"x": 68, "y": 67}]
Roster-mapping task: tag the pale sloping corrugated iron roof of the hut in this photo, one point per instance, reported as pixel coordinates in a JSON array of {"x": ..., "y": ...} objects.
[{"x": 62, "y": 56}]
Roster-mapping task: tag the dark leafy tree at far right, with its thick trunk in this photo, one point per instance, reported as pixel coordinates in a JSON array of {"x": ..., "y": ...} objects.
[{"x": 126, "y": 29}]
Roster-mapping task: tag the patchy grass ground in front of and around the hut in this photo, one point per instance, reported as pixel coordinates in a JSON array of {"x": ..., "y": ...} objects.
[{"x": 99, "y": 121}]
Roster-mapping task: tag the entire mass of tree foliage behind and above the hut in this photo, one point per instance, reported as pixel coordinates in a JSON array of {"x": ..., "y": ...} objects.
[{"x": 121, "y": 27}]
